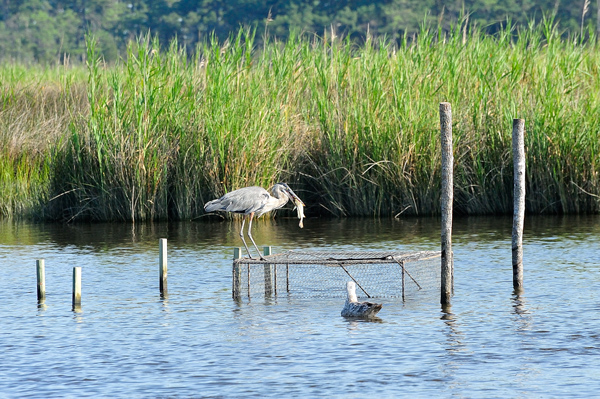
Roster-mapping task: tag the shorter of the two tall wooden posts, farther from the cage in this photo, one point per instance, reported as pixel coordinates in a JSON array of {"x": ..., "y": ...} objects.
[{"x": 519, "y": 201}]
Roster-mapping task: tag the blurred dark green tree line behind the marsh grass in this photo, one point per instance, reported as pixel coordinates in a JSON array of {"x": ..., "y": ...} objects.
[{"x": 46, "y": 31}]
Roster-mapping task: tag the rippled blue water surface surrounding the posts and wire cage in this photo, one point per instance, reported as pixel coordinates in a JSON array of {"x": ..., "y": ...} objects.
[{"x": 128, "y": 342}]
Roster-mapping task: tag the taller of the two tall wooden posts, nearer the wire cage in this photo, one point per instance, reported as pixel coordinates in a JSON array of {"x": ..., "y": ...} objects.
[{"x": 447, "y": 199}]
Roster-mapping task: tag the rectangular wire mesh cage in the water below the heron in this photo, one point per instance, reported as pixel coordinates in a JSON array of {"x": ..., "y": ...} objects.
[{"x": 313, "y": 274}]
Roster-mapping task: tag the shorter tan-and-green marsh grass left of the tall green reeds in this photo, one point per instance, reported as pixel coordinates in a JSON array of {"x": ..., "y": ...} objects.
[{"x": 37, "y": 104}]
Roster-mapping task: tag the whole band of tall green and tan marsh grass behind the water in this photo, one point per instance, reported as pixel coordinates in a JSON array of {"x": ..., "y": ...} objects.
[{"x": 354, "y": 130}]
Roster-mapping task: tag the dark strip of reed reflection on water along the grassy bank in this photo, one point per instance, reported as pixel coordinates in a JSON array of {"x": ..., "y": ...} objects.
[{"x": 285, "y": 231}]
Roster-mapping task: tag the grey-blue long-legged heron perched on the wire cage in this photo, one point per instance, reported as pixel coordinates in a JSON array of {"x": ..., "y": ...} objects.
[{"x": 253, "y": 201}]
